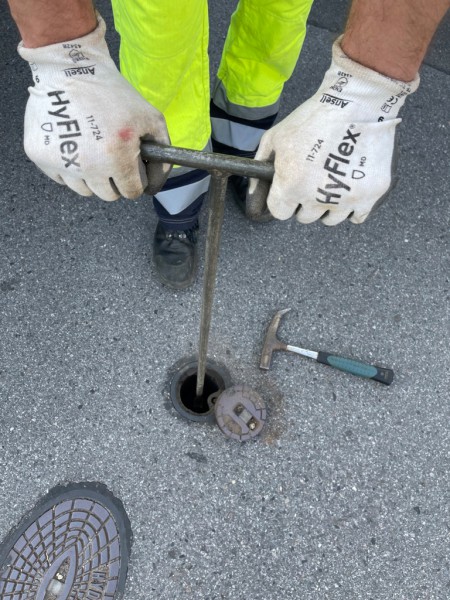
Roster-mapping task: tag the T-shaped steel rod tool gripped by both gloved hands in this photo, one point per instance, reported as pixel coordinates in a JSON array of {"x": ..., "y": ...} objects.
[{"x": 221, "y": 166}]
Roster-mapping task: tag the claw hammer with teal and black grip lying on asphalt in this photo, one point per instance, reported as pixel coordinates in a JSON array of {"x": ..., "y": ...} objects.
[{"x": 349, "y": 365}]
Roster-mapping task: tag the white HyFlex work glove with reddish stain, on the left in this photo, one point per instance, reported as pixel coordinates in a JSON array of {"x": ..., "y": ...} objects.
[{"x": 84, "y": 121}]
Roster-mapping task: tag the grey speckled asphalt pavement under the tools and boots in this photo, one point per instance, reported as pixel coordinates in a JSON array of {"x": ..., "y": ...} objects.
[{"x": 346, "y": 493}]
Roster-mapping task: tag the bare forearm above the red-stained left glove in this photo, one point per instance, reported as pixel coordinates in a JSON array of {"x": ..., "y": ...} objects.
[{"x": 44, "y": 22}]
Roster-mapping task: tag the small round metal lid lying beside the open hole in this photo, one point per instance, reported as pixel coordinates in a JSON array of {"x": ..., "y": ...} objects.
[{"x": 240, "y": 412}]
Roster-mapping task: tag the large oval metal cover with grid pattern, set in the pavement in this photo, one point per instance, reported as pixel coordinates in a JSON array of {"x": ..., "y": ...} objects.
[{"x": 74, "y": 545}]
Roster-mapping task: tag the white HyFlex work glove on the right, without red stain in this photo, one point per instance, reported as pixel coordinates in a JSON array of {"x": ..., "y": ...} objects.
[{"x": 334, "y": 155}]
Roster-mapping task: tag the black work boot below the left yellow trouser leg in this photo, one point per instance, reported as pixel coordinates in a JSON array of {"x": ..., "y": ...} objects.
[{"x": 175, "y": 256}]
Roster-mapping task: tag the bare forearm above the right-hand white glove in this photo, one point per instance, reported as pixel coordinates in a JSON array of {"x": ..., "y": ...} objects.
[{"x": 392, "y": 36}]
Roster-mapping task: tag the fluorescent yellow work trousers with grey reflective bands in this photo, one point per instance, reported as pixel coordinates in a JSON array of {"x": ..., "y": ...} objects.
[{"x": 164, "y": 55}]
